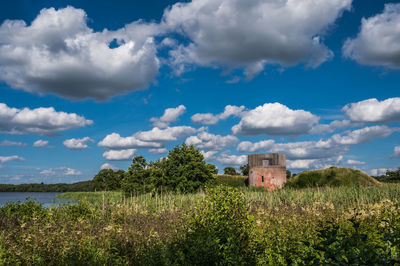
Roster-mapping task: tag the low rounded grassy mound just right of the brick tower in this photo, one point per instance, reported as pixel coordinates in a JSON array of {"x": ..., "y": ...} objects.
[{"x": 333, "y": 177}]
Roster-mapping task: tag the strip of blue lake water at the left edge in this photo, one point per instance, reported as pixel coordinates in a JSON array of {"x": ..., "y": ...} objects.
[{"x": 46, "y": 198}]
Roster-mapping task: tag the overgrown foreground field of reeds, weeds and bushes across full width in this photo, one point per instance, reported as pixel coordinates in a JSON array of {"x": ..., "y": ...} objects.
[{"x": 221, "y": 225}]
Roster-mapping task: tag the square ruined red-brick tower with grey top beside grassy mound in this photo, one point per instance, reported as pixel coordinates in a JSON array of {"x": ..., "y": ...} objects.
[{"x": 267, "y": 170}]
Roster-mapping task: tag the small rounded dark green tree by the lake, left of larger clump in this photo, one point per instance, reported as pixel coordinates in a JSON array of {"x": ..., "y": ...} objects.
[{"x": 107, "y": 179}]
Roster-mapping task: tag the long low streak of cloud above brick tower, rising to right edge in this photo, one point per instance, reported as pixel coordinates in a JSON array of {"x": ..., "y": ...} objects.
[{"x": 320, "y": 149}]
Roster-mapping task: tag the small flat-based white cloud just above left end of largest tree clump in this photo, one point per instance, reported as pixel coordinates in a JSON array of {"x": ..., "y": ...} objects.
[{"x": 115, "y": 141}]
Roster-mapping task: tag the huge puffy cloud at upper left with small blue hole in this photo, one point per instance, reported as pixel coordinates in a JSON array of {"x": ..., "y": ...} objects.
[{"x": 59, "y": 54}]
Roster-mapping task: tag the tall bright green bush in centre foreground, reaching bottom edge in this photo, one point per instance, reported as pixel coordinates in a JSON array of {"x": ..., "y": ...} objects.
[{"x": 219, "y": 231}]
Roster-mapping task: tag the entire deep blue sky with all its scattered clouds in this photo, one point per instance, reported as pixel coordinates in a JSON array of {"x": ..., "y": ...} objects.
[{"x": 87, "y": 86}]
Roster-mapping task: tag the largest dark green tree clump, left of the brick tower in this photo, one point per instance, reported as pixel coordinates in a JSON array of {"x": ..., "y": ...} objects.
[{"x": 184, "y": 170}]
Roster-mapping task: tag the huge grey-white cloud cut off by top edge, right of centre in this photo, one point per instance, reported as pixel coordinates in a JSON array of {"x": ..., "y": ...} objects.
[{"x": 252, "y": 34}]
